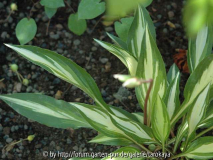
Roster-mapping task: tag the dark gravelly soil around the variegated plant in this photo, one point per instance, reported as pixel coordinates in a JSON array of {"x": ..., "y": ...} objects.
[{"x": 85, "y": 52}]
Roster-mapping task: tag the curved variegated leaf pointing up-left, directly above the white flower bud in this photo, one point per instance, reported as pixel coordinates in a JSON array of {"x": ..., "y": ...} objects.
[{"x": 125, "y": 57}]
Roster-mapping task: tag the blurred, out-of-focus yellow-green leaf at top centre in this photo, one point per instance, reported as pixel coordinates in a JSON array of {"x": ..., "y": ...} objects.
[{"x": 115, "y": 11}]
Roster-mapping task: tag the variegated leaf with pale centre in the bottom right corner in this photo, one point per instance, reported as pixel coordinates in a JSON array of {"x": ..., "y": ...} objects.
[{"x": 201, "y": 148}]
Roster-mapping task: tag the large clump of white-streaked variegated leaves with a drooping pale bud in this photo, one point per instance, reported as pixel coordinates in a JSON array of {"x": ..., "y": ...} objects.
[{"x": 157, "y": 127}]
